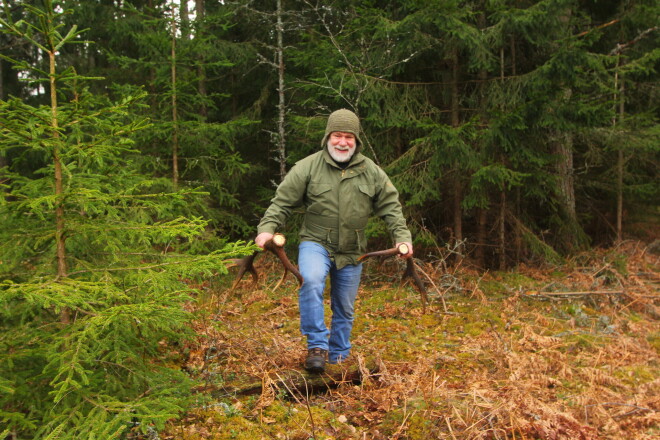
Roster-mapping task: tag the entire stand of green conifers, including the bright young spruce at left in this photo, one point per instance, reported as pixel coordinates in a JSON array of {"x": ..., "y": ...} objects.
[{"x": 142, "y": 140}]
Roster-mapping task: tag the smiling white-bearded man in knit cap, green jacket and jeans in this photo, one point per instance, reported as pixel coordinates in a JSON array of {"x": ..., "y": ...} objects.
[{"x": 339, "y": 189}]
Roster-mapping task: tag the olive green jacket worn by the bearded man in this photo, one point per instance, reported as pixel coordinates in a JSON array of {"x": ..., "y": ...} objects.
[{"x": 337, "y": 203}]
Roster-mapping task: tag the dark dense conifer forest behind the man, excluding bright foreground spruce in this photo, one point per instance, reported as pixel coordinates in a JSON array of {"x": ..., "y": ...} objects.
[{"x": 512, "y": 129}]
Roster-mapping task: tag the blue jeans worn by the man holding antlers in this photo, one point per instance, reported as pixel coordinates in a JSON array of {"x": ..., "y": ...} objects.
[{"x": 315, "y": 265}]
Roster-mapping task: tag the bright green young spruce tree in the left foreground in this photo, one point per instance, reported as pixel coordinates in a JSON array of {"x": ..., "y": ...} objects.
[{"x": 94, "y": 258}]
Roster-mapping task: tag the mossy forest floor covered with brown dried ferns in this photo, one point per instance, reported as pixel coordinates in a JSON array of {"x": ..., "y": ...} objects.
[{"x": 564, "y": 352}]
